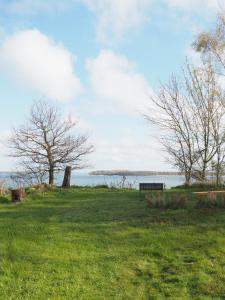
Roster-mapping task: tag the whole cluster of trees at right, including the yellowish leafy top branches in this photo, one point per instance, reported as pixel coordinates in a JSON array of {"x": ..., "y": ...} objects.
[{"x": 190, "y": 111}]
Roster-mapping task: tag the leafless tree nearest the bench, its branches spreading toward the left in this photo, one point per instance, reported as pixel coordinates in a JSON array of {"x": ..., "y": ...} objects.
[{"x": 172, "y": 115}]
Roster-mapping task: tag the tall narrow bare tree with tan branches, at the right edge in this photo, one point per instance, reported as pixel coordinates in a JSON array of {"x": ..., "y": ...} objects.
[{"x": 208, "y": 113}]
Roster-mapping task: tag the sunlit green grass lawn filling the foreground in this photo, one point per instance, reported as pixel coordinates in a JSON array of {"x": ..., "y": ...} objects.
[{"x": 107, "y": 244}]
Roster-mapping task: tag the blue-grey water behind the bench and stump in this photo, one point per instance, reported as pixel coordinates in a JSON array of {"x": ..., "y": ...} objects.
[{"x": 117, "y": 181}]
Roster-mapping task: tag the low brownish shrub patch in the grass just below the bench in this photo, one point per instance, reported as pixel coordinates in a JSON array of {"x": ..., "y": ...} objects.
[{"x": 167, "y": 201}]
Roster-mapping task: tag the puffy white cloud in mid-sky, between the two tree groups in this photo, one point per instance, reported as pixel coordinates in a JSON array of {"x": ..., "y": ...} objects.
[{"x": 115, "y": 81}]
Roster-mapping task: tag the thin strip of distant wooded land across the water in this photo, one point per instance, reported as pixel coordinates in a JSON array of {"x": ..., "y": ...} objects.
[{"x": 134, "y": 173}]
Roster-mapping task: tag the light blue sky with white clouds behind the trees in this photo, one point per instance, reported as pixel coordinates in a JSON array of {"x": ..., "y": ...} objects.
[{"x": 98, "y": 61}]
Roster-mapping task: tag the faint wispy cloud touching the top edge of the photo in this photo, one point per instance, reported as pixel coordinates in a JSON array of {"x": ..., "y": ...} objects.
[{"x": 115, "y": 17}]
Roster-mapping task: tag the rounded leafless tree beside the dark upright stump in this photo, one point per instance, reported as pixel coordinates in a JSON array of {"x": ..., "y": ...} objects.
[{"x": 47, "y": 143}]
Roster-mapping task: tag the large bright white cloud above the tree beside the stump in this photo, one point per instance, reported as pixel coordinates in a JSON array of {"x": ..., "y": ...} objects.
[{"x": 42, "y": 64}]
